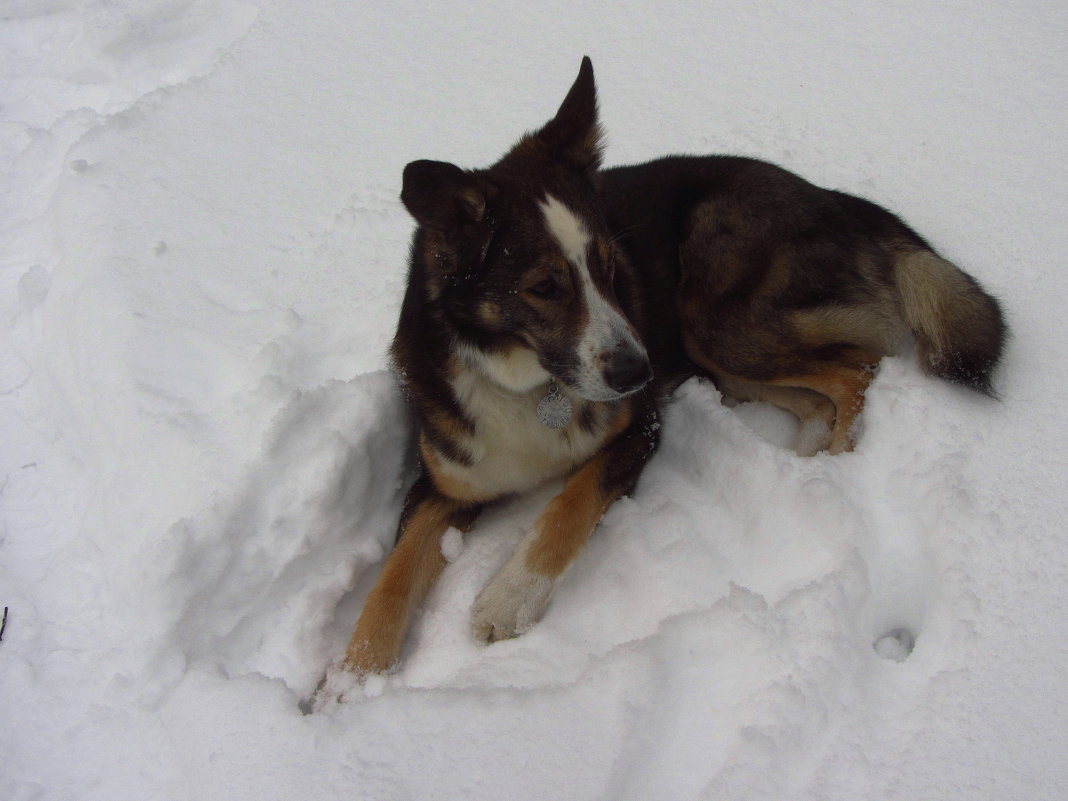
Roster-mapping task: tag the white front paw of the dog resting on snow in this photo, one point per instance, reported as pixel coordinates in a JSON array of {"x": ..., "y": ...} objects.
[{"x": 511, "y": 604}]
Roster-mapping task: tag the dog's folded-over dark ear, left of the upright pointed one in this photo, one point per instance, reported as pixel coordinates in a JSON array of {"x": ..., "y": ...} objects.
[{"x": 442, "y": 196}]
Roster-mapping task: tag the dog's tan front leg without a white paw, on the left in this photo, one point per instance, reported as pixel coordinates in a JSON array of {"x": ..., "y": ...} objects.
[{"x": 407, "y": 576}]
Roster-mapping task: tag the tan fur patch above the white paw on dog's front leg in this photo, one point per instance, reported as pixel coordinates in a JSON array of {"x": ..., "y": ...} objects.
[{"x": 567, "y": 523}]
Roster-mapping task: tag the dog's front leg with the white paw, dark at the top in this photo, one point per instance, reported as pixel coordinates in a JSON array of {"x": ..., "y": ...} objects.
[{"x": 516, "y": 598}]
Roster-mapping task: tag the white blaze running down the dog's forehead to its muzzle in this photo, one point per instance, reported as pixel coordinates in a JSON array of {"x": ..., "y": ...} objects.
[{"x": 607, "y": 329}]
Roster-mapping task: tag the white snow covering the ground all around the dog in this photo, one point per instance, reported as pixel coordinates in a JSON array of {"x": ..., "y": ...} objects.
[{"x": 203, "y": 457}]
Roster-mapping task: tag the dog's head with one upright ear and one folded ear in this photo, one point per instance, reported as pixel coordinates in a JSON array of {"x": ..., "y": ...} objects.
[{"x": 519, "y": 258}]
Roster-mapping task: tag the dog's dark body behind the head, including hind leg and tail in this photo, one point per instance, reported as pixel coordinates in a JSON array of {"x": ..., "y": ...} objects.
[{"x": 780, "y": 289}]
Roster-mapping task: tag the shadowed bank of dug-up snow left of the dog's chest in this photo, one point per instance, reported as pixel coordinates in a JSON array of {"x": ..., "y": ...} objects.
[{"x": 319, "y": 510}]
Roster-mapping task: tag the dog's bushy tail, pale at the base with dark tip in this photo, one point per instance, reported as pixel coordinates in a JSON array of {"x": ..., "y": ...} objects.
[{"x": 960, "y": 328}]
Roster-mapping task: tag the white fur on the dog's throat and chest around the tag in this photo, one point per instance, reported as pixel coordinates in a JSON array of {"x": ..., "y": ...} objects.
[{"x": 511, "y": 449}]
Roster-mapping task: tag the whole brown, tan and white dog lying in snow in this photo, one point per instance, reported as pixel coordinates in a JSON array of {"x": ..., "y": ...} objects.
[{"x": 553, "y": 308}]
